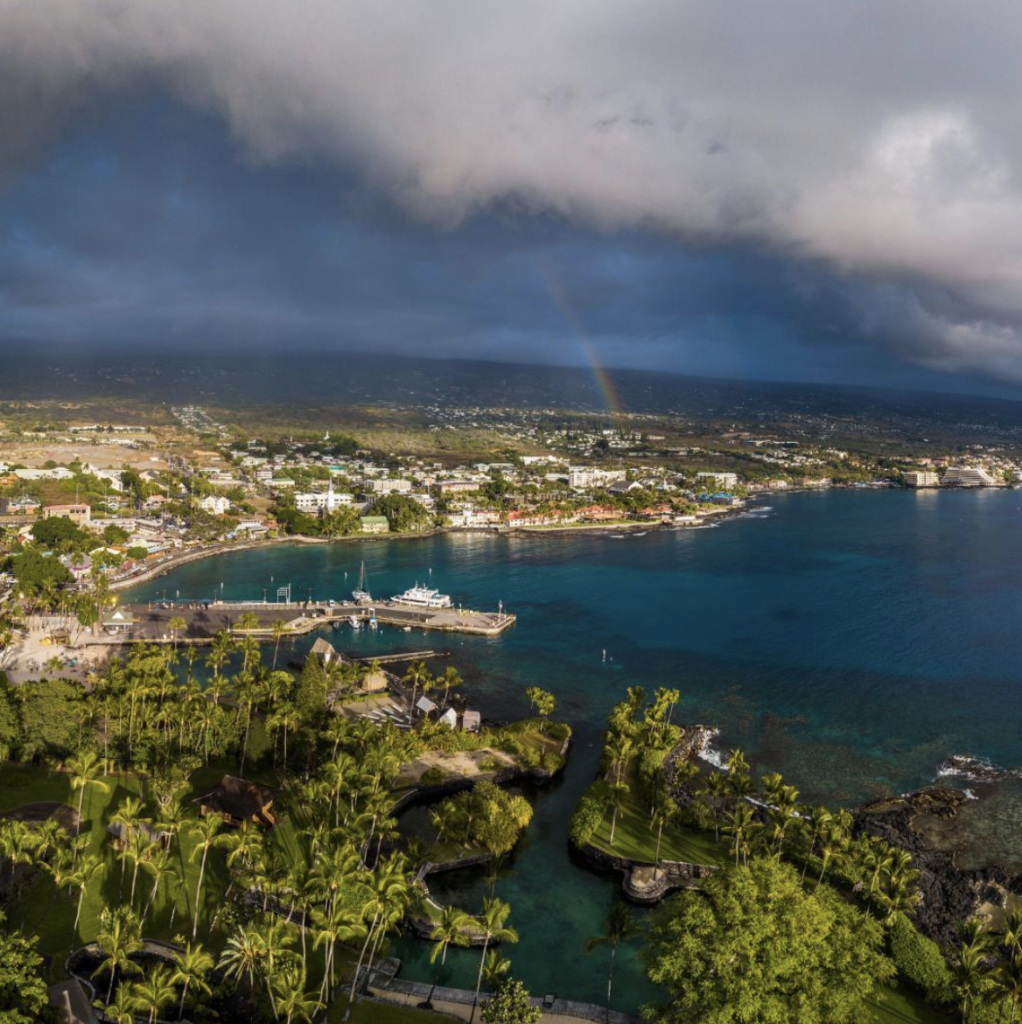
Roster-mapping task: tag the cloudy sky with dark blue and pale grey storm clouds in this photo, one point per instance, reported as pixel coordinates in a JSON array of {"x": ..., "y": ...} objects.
[{"x": 794, "y": 191}]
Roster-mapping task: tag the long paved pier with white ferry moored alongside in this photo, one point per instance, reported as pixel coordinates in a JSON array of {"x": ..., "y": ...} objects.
[{"x": 151, "y": 623}]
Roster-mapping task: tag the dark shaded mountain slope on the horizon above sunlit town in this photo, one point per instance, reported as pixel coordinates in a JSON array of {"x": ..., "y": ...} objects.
[{"x": 343, "y": 379}]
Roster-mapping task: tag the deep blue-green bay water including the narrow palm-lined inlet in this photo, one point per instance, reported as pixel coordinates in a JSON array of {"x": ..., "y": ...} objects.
[{"x": 850, "y": 641}]
